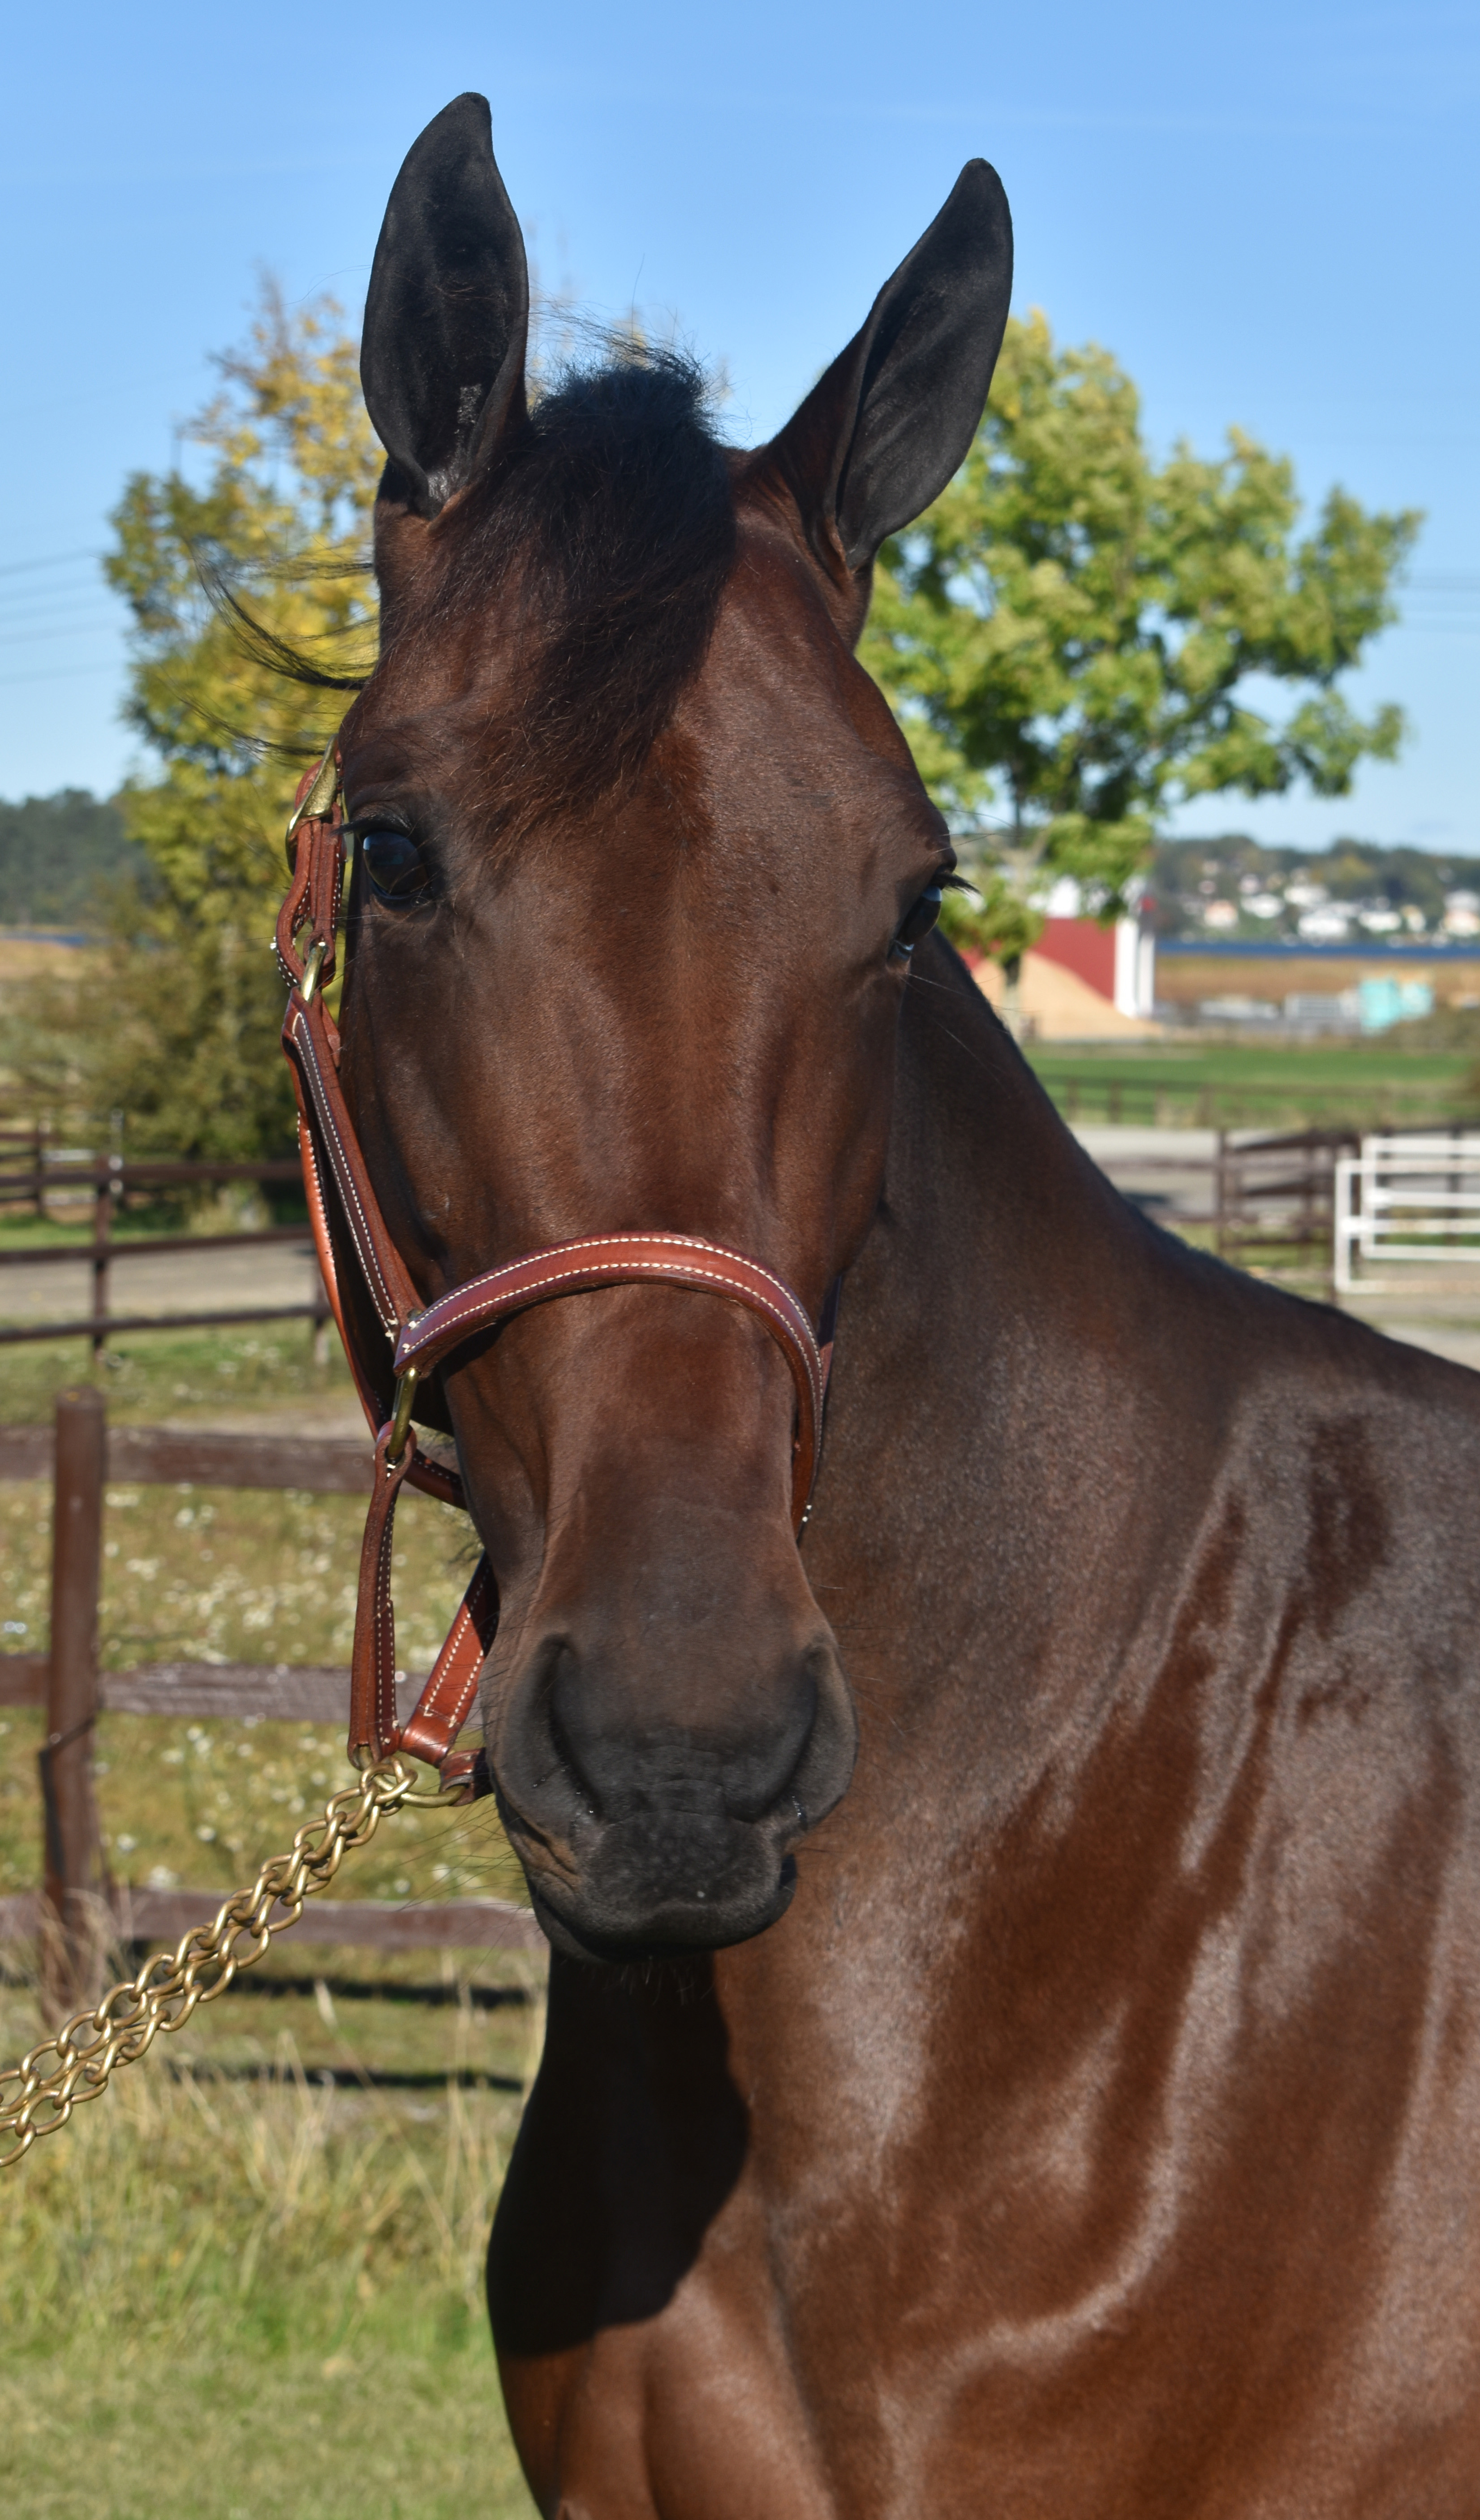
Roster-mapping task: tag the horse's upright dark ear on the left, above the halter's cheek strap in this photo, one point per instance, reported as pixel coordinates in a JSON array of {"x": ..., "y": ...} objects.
[{"x": 448, "y": 316}]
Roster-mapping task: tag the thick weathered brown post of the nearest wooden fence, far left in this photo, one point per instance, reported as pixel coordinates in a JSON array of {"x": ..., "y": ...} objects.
[{"x": 74, "y": 1871}]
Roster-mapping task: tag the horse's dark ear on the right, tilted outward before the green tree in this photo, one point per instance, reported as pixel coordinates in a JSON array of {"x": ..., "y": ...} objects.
[{"x": 881, "y": 435}]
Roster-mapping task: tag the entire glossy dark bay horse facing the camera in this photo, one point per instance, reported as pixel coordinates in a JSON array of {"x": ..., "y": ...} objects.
[{"x": 1015, "y": 2035}]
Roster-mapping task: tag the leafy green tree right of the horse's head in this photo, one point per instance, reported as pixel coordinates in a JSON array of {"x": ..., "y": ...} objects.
[{"x": 1070, "y": 634}]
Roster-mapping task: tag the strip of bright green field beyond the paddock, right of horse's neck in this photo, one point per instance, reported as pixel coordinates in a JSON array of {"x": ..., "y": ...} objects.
[{"x": 1232, "y": 1085}]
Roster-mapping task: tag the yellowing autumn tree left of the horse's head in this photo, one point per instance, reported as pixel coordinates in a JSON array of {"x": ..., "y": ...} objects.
[{"x": 231, "y": 578}]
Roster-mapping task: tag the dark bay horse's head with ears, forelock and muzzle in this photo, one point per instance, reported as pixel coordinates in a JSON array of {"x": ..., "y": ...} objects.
[{"x": 642, "y": 861}]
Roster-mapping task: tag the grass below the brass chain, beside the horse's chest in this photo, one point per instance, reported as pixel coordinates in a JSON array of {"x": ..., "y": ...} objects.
[{"x": 236, "y": 2292}]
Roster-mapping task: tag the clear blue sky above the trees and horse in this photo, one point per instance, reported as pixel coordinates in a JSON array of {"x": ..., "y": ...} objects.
[{"x": 1267, "y": 215}]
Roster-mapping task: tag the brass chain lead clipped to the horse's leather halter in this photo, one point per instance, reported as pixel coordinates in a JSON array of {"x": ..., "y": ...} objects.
[{"x": 77, "y": 2063}]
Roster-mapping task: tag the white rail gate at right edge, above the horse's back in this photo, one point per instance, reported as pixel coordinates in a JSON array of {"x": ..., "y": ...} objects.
[{"x": 1408, "y": 1198}]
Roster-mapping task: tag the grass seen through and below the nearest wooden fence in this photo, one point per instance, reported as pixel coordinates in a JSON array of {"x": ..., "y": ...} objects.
[{"x": 248, "y": 2282}]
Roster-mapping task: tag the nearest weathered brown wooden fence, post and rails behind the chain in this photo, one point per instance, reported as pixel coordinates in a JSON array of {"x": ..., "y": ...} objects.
[{"x": 79, "y": 1453}]
